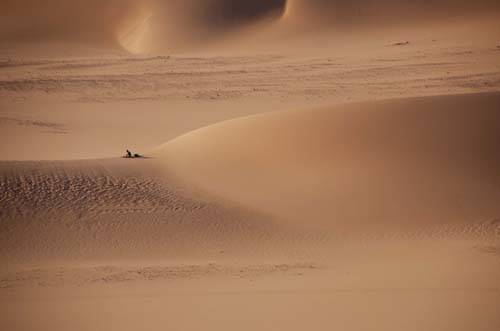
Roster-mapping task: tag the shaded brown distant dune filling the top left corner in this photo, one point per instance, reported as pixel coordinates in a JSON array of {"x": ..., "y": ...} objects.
[{"x": 92, "y": 21}]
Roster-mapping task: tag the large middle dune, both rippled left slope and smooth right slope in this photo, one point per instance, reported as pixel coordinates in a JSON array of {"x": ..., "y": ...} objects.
[{"x": 422, "y": 168}]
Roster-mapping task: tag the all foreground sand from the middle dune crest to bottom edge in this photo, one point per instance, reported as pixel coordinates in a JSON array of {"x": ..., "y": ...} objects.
[{"x": 395, "y": 202}]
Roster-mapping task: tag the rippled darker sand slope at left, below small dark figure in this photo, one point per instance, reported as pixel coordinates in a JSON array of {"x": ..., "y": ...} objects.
[{"x": 114, "y": 210}]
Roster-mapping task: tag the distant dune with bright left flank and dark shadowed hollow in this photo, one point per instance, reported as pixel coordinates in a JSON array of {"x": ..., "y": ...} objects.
[{"x": 188, "y": 24}]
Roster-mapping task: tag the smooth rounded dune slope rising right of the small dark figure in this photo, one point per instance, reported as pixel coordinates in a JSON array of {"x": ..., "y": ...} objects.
[{"x": 375, "y": 168}]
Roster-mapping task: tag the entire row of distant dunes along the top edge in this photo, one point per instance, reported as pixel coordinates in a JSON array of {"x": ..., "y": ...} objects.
[{"x": 142, "y": 25}]
